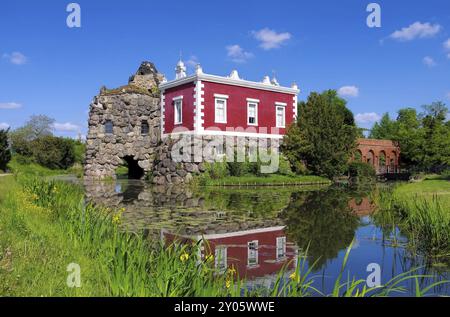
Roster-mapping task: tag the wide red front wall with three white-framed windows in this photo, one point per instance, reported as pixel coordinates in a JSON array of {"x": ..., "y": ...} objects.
[{"x": 237, "y": 106}]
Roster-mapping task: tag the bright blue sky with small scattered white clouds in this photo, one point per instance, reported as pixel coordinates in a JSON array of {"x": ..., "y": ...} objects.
[{"x": 49, "y": 68}]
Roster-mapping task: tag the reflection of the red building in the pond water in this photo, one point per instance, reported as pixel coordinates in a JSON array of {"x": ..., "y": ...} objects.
[{"x": 253, "y": 253}]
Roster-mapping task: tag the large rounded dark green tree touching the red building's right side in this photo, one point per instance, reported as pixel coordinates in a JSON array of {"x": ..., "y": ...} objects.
[{"x": 324, "y": 136}]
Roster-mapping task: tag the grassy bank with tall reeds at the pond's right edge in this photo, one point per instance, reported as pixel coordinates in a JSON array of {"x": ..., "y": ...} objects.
[{"x": 422, "y": 212}]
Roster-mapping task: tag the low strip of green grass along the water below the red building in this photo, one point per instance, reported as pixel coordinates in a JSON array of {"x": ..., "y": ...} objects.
[{"x": 270, "y": 180}]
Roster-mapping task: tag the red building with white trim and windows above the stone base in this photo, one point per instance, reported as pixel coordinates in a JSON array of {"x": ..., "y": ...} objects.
[{"x": 204, "y": 104}]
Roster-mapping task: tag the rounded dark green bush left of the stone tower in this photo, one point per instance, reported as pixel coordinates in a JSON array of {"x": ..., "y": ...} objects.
[{"x": 54, "y": 152}]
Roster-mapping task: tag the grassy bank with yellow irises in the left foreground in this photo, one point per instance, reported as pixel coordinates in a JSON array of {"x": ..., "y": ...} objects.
[{"x": 45, "y": 226}]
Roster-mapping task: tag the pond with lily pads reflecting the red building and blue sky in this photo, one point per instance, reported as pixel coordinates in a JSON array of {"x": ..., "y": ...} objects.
[{"x": 261, "y": 230}]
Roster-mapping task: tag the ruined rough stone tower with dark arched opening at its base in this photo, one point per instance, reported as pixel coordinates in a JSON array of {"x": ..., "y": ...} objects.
[{"x": 124, "y": 125}]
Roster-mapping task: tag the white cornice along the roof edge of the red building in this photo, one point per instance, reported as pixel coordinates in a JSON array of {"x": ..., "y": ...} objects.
[{"x": 229, "y": 81}]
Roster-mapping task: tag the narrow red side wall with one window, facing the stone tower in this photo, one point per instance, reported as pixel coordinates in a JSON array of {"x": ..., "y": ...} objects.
[{"x": 187, "y": 91}]
